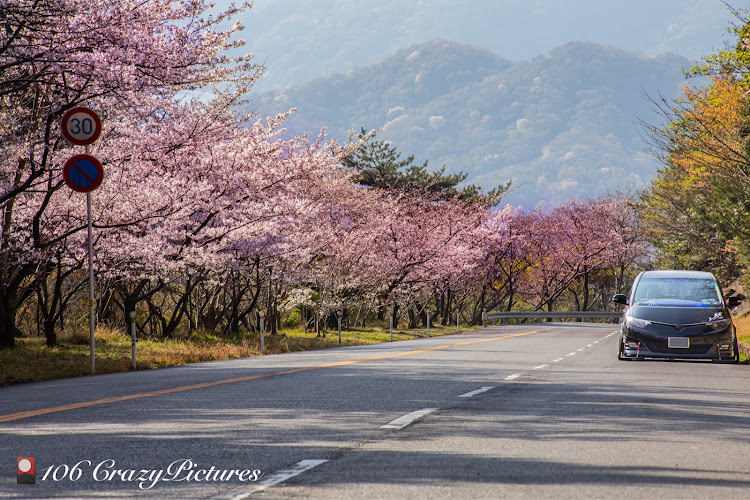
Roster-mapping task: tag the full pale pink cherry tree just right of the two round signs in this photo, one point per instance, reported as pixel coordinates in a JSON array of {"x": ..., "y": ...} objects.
[{"x": 231, "y": 198}]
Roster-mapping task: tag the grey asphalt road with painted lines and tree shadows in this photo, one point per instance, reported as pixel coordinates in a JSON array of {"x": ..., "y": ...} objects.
[{"x": 533, "y": 411}]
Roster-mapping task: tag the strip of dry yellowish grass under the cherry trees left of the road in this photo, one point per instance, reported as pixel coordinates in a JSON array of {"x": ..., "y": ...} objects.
[{"x": 33, "y": 361}]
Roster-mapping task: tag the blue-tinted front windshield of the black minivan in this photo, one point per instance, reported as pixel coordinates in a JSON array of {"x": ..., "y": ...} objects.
[{"x": 685, "y": 292}]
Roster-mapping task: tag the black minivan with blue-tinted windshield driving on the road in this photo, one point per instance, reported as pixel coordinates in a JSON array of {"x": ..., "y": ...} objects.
[{"x": 677, "y": 314}]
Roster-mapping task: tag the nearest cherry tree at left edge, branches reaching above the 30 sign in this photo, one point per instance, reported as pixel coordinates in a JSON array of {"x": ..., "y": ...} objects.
[{"x": 128, "y": 60}]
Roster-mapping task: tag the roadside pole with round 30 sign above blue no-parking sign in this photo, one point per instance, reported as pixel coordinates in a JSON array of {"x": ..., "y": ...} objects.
[{"x": 83, "y": 173}]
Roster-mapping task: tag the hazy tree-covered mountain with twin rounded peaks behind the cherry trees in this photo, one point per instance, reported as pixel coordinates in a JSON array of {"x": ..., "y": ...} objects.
[{"x": 560, "y": 126}]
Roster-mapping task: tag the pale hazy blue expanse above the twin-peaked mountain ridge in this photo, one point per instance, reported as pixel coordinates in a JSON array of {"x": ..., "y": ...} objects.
[{"x": 299, "y": 40}]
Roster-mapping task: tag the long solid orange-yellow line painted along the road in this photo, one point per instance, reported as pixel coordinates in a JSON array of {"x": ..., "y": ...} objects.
[{"x": 85, "y": 404}]
